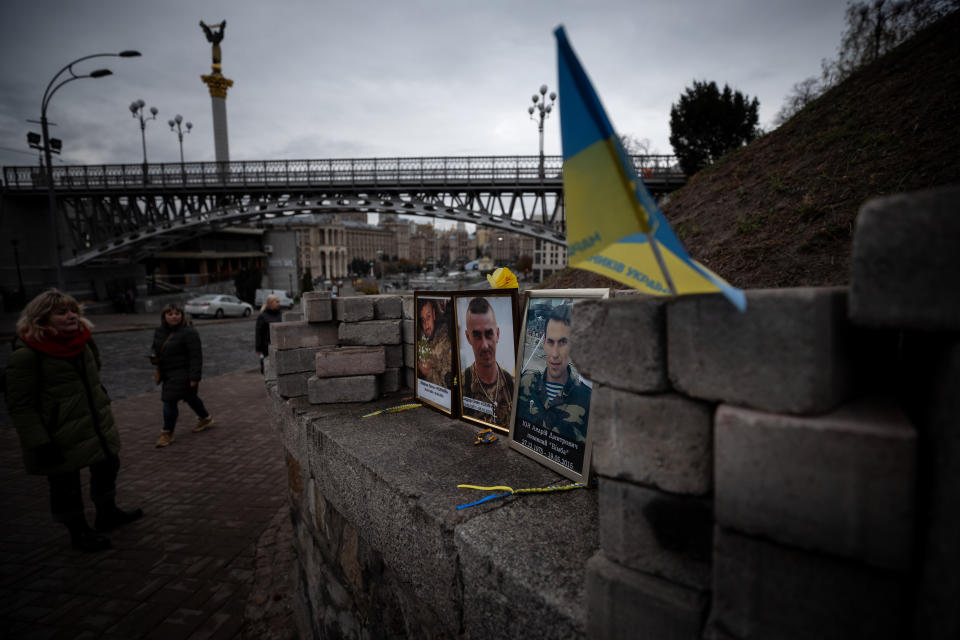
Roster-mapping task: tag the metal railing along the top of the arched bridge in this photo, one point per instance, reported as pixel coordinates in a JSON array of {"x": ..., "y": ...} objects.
[{"x": 347, "y": 172}]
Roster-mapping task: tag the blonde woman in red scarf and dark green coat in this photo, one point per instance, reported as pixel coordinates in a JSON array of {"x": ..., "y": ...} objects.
[{"x": 62, "y": 415}]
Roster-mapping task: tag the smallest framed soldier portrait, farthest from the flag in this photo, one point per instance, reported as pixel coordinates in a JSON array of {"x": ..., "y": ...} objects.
[{"x": 435, "y": 364}]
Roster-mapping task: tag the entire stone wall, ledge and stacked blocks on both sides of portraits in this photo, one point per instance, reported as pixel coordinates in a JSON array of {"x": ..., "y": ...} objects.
[{"x": 788, "y": 472}]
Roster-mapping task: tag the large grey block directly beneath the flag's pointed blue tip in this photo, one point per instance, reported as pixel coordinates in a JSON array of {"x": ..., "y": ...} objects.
[{"x": 788, "y": 352}]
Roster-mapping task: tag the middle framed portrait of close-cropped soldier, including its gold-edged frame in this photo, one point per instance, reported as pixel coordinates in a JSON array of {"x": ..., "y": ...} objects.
[{"x": 487, "y": 322}]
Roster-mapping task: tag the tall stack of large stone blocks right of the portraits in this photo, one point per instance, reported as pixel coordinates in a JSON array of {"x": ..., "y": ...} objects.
[{"x": 792, "y": 471}]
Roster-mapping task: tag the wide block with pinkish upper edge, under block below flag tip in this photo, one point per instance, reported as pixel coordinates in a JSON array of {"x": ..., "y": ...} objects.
[{"x": 842, "y": 483}]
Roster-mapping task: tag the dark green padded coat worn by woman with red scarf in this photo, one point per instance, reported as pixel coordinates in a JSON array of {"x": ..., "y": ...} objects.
[{"x": 59, "y": 404}]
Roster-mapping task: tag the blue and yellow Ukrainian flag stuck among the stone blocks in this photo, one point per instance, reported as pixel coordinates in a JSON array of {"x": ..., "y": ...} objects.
[{"x": 614, "y": 226}]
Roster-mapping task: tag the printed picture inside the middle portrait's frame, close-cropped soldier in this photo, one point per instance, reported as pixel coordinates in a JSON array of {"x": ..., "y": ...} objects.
[{"x": 487, "y": 385}]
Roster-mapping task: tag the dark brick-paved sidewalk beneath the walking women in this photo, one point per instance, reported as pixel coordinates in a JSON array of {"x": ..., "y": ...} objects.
[{"x": 211, "y": 558}]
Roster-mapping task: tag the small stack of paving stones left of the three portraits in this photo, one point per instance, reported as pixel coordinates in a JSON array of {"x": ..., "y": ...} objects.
[{"x": 340, "y": 350}]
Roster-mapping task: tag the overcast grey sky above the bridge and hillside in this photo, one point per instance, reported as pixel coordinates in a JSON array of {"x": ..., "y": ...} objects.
[{"x": 366, "y": 78}]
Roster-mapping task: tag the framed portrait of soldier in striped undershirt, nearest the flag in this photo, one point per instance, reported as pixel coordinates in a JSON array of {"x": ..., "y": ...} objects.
[{"x": 551, "y": 405}]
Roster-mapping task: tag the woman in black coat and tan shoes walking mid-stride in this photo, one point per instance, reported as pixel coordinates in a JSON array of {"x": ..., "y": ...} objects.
[{"x": 178, "y": 355}]
